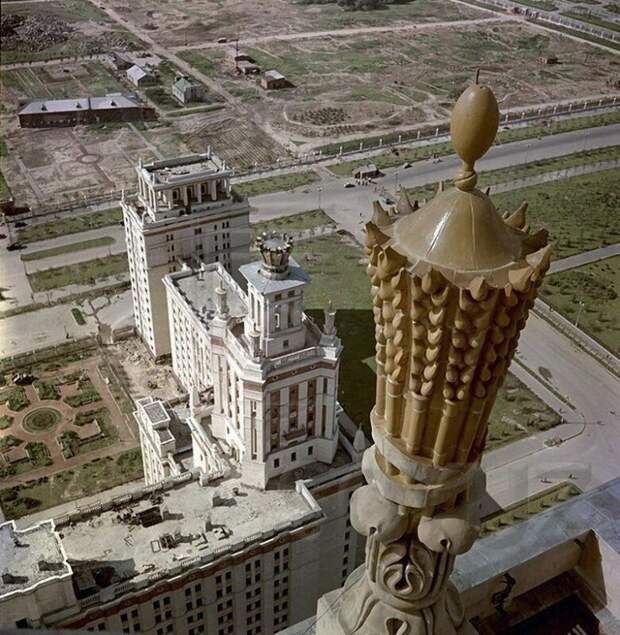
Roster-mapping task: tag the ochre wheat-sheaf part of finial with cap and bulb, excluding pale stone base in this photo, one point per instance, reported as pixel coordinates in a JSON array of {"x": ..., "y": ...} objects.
[{"x": 452, "y": 283}]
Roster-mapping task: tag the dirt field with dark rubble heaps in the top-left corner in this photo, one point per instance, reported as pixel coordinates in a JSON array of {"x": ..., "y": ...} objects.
[{"x": 82, "y": 29}]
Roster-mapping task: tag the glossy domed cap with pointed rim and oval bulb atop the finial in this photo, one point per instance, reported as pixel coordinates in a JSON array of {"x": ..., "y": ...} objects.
[{"x": 459, "y": 231}]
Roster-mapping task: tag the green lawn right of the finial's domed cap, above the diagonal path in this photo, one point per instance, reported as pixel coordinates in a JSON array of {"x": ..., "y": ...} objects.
[{"x": 580, "y": 213}]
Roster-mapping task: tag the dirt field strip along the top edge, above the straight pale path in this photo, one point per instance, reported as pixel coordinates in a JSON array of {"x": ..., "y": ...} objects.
[{"x": 199, "y": 21}]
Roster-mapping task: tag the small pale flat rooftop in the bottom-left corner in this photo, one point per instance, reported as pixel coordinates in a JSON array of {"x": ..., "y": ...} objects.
[{"x": 29, "y": 556}]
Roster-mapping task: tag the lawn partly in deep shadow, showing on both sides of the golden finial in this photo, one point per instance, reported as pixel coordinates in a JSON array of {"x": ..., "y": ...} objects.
[{"x": 338, "y": 273}]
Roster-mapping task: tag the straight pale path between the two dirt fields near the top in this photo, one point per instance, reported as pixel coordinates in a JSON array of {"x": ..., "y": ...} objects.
[{"x": 367, "y": 30}]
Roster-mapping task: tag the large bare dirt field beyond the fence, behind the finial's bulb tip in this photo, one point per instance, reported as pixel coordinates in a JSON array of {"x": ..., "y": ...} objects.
[{"x": 357, "y": 84}]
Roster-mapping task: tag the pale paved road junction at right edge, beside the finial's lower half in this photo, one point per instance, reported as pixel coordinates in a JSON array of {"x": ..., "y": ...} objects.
[{"x": 592, "y": 456}]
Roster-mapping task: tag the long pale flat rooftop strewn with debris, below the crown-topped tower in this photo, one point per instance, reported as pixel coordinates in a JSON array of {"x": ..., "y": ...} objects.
[{"x": 190, "y": 521}]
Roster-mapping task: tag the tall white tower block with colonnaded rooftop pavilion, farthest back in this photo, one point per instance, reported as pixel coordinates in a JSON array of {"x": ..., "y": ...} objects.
[{"x": 184, "y": 210}]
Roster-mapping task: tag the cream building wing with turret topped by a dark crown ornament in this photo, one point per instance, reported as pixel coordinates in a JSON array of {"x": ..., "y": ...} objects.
[{"x": 262, "y": 376}]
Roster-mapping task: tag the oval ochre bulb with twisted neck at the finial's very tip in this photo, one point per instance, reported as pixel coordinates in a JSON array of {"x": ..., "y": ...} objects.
[{"x": 473, "y": 128}]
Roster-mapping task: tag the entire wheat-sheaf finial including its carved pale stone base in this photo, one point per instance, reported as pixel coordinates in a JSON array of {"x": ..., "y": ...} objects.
[{"x": 452, "y": 284}]
